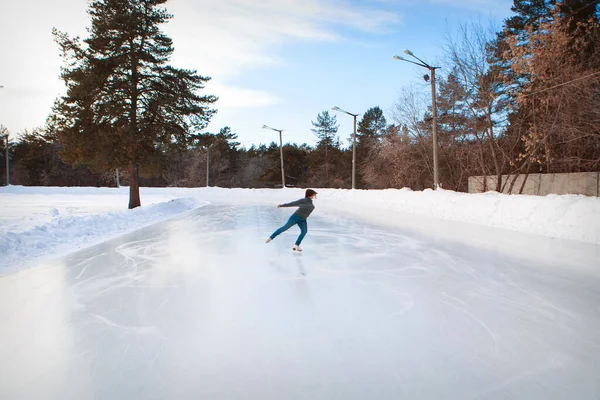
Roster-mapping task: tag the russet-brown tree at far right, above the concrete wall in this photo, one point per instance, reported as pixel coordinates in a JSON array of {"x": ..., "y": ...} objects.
[{"x": 558, "y": 107}]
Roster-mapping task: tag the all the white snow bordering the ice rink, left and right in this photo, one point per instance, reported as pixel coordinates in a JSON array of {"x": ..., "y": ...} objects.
[{"x": 42, "y": 221}]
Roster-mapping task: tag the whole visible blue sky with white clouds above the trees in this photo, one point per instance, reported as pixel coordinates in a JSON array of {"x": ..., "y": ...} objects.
[{"x": 274, "y": 62}]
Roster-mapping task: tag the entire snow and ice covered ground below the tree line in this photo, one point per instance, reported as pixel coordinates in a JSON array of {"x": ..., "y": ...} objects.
[{"x": 398, "y": 294}]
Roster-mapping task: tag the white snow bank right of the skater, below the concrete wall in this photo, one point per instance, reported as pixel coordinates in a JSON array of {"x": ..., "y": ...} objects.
[{"x": 573, "y": 217}]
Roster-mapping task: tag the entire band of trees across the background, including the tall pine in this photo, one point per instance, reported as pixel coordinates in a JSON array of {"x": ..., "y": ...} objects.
[{"x": 521, "y": 100}]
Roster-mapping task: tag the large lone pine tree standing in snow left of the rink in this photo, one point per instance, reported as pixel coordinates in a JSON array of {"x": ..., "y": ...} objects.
[{"x": 124, "y": 104}]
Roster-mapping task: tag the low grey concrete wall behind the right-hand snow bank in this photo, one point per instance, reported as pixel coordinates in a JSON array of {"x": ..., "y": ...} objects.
[{"x": 587, "y": 183}]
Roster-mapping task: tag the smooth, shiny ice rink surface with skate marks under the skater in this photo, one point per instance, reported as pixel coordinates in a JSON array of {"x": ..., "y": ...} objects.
[{"x": 199, "y": 307}]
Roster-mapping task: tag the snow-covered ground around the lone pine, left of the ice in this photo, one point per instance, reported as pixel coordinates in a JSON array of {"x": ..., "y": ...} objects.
[{"x": 36, "y": 223}]
